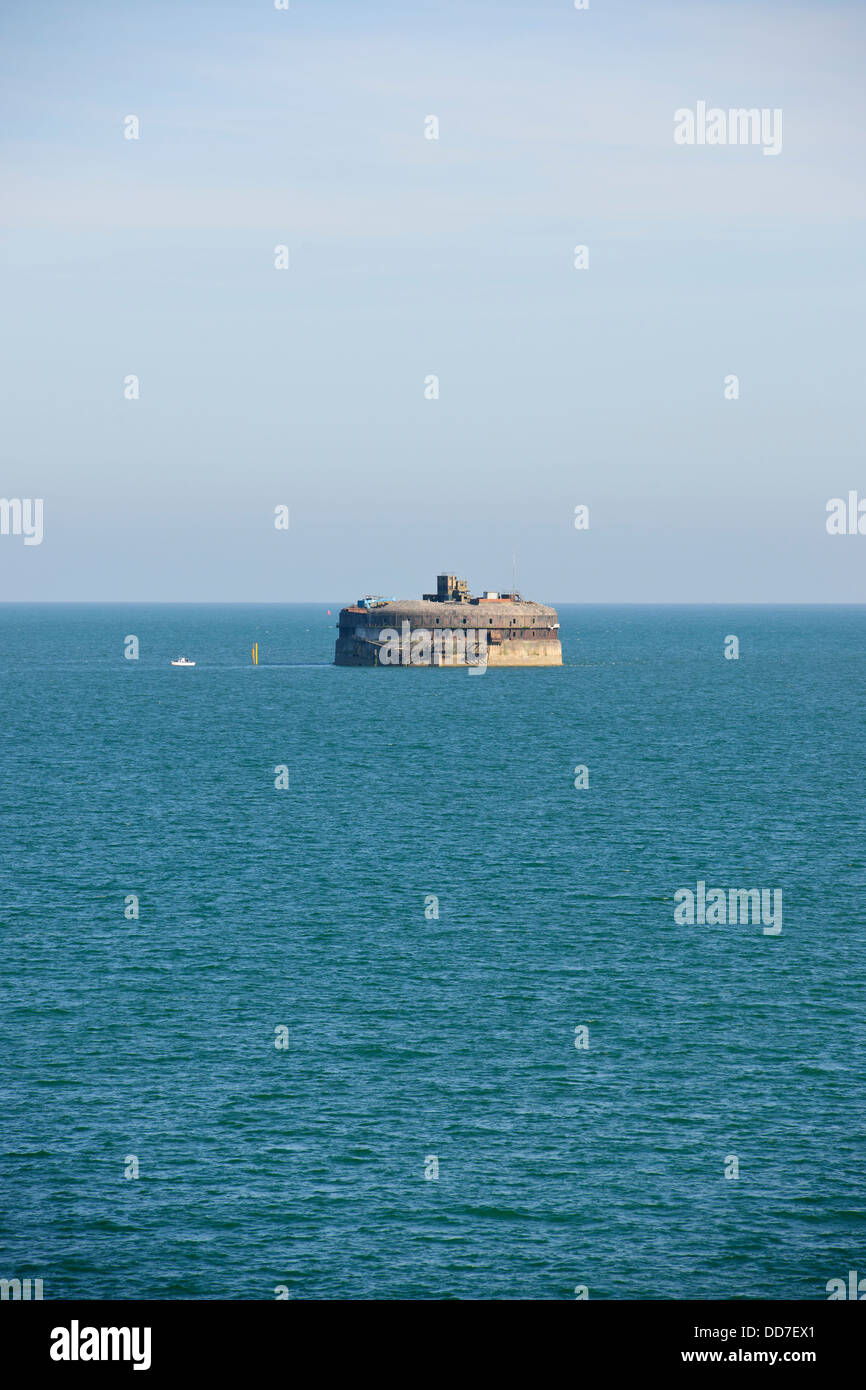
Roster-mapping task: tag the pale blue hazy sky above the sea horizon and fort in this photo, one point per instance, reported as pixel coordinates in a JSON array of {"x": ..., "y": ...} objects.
[{"x": 409, "y": 258}]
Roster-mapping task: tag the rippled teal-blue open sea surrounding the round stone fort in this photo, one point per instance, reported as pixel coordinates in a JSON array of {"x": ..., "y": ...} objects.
[{"x": 416, "y": 1038}]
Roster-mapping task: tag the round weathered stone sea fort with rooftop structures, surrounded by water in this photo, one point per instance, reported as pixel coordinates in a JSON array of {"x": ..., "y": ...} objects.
[{"x": 448, "y": 629}]
